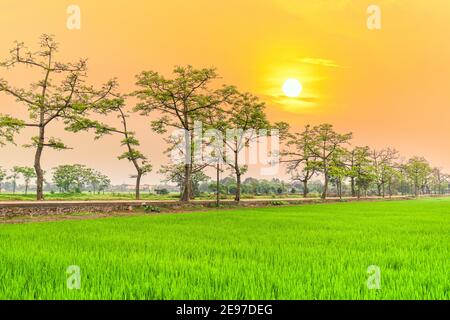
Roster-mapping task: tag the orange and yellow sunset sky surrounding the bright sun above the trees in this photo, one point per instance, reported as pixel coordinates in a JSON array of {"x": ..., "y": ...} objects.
[{"x": 389, "y": 87}]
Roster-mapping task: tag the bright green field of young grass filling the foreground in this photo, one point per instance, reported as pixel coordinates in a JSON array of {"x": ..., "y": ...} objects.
[{"x": 318, "y": 251}]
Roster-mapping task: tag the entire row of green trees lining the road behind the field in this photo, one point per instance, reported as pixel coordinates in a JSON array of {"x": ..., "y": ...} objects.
[{"x": 191, "y": 96}]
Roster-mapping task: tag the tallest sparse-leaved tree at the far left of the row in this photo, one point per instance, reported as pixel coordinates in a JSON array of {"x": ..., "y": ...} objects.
[{"x": 61, "y": 94}]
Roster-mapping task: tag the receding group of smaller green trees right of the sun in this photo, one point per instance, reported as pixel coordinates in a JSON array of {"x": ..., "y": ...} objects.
[{"x": 321, "y": 150}]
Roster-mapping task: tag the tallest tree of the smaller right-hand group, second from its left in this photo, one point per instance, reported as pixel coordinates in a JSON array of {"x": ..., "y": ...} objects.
[{"x": 322, "y": 142}]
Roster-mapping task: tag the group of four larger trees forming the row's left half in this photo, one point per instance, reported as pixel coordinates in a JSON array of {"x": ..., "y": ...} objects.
[{"x": 63, "y": 95}]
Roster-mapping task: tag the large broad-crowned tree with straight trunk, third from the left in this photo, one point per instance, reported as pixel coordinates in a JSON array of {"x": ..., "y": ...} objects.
[{"x": 180, "y": 102}]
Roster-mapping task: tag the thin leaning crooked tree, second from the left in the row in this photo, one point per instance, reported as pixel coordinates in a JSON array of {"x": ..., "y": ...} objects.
[{"x": 129, "y": 140}]
